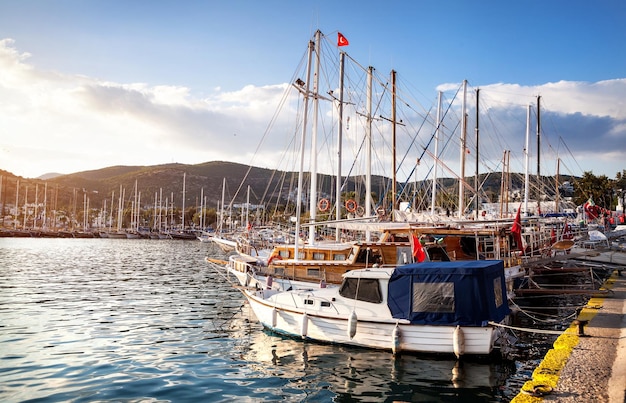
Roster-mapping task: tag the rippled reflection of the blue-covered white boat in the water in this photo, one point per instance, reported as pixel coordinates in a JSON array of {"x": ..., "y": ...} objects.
[{"x": 354, "y": 374}]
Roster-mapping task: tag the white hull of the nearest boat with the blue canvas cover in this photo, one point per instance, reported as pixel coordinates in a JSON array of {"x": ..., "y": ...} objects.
[{"x": 332, "y": 324}]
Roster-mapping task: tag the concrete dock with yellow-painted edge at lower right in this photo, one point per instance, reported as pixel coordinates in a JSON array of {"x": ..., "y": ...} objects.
[{"x": 588, "y": 361}]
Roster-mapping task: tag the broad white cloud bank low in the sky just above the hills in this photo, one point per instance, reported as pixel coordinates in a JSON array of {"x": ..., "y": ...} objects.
[{"x": 53, "y": 122}]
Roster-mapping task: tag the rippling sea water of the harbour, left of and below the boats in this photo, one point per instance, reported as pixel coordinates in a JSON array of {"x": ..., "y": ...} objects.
[{"x": 85, "y": 320}]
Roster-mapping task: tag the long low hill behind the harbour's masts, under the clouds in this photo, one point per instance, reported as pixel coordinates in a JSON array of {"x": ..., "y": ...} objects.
[{"x": 165, "y": 181}]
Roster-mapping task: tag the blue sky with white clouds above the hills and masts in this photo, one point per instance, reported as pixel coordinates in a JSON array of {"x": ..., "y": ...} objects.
[{"x": 89, "y": 84}]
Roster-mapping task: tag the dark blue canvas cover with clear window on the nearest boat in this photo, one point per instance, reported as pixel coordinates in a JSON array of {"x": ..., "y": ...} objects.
[{"x": 468, "y": 293}]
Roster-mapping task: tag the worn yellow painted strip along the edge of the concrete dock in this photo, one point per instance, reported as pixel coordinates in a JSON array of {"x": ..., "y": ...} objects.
[{"x": 546, "y": 376}]
